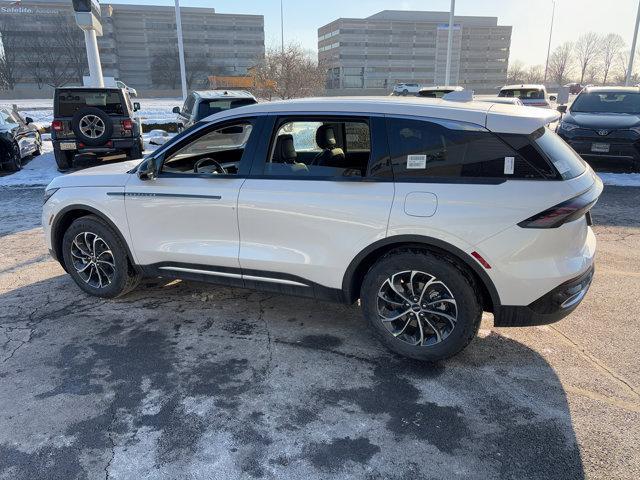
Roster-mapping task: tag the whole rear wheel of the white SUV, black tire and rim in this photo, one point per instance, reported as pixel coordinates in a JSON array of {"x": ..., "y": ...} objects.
[{"x": 421, "y": 306}]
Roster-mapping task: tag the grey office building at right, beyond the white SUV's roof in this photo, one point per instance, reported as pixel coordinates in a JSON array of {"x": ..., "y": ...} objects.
[{"x": 371, "y": 54}]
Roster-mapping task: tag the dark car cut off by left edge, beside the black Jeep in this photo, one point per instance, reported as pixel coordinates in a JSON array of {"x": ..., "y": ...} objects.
[{"x": 19, "y": 138}]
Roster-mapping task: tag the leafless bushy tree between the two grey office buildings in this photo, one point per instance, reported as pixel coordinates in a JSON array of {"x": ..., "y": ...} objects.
[{"x": 288, "y": 73}]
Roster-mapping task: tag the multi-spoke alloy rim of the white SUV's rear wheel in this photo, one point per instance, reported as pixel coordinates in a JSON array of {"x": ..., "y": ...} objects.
[{"x": 417, "y": 308}]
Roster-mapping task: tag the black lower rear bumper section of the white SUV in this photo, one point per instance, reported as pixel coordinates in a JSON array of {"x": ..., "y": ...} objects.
[{"x": 549, "y": 308}]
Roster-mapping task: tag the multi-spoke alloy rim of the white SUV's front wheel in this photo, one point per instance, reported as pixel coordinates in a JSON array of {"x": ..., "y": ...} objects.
[{"x": 93, "y": 259}]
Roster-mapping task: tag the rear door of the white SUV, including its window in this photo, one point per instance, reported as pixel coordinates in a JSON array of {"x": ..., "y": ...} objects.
[{"x": 305, "y": 212}]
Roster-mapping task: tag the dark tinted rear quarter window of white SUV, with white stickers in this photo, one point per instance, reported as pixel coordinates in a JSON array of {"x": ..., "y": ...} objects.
[{"x": 443, "y": 149}]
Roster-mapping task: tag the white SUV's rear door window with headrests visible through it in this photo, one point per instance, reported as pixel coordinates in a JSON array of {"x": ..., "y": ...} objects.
[{"x": 317, "y": 147}]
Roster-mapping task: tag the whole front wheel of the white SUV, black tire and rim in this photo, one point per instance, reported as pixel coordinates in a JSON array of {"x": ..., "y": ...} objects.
[{"x": 122, "y": 277}]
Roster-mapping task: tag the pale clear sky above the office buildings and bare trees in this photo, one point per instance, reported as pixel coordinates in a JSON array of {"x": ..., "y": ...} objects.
[{"x": 530, "y": 18}]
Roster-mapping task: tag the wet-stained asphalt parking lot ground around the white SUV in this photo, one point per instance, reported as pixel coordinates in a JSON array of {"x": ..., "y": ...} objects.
[{"x": 188, "y": 381}]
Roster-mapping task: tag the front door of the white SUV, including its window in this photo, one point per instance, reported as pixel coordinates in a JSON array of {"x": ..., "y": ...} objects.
[{"x": 185, "y": 219}]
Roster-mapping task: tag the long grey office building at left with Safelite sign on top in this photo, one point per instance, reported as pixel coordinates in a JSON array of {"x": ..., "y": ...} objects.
[{"x": 138, "y": 45}]
